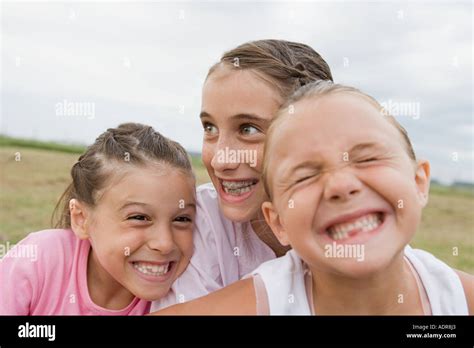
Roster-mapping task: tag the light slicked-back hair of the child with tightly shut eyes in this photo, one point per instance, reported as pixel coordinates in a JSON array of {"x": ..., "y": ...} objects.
[{"x": 318, "y": 90}]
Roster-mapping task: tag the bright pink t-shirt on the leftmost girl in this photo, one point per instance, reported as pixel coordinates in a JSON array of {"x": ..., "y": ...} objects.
[{"x": 46, "y": 274}]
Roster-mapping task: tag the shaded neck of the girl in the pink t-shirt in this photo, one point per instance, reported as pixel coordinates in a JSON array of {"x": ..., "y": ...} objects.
[{"x": 104, "y": 290}]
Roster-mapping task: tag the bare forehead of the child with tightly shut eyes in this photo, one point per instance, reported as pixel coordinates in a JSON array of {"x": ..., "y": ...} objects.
[{"x": 330, "y": 124}]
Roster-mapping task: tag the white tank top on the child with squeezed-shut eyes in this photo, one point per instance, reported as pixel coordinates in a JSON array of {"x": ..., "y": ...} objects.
[{"x": 284, "y": 281}]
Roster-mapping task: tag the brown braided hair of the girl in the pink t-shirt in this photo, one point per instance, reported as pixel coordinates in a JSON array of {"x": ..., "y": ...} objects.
[{"x": 129, "y": 143}]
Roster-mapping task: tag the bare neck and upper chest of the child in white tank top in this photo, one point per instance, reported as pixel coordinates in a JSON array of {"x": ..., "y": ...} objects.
[{"x": 389, "y": 292}]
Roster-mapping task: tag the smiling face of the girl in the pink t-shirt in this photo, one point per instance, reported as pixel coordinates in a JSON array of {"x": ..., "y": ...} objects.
[{"x": 141, "y": 229}]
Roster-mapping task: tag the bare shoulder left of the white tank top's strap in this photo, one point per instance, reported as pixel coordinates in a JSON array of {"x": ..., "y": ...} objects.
[{"x": 235, "y": 299}]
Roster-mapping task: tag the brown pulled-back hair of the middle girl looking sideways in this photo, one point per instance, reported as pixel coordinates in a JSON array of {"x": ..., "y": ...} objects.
[{"x": 283, "y": 64}]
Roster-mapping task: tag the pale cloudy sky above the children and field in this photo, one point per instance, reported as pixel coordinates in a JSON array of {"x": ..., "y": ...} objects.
[{"x": 146, "y": 62}]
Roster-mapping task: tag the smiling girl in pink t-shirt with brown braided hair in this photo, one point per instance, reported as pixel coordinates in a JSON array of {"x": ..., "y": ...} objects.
[{"x": 124, "y": 232}]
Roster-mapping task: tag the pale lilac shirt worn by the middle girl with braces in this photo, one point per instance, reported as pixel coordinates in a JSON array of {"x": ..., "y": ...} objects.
[{"x": 224, "y": 251}]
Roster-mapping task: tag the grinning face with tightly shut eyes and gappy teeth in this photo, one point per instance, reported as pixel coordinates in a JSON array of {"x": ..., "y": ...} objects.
[{"x": 341, "y": 175}]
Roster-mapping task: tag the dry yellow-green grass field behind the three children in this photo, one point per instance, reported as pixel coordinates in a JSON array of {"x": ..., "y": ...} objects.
[{"x": 30, "y": 187}]
